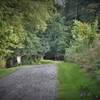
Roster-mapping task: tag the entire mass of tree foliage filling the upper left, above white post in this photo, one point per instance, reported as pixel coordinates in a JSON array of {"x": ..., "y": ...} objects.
[{"x": 20, "y": 21}]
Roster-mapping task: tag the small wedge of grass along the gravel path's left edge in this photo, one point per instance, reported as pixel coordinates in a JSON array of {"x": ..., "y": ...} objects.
[{"x": 6, "y": 71}]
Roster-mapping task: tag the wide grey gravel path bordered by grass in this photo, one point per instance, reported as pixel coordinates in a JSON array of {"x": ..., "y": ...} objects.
[{"x": 37, "y": 82}]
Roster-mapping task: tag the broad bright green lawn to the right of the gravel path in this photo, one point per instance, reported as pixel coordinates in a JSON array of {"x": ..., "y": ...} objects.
[{"x": 71, "y": 77}]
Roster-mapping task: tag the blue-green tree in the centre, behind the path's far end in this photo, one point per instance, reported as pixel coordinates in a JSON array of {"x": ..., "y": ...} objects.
[{"x": 58, "y": 37}]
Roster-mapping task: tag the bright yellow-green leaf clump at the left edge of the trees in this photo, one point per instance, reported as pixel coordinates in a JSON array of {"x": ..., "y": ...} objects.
[{"x": 9, "y": 38}]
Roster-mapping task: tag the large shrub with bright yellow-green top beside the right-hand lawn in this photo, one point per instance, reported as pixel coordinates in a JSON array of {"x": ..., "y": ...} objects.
[{"x": 83, "y": 51}]
